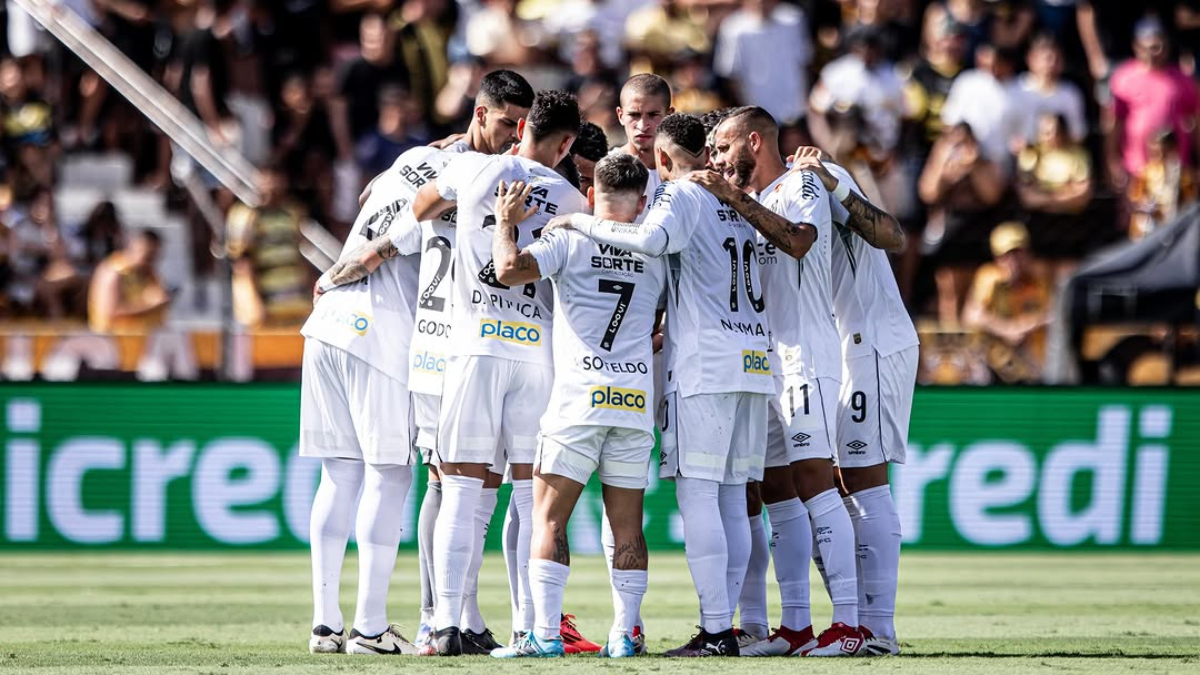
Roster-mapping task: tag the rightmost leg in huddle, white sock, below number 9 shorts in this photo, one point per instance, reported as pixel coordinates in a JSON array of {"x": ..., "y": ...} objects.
[{"x": 878, "y": 533}]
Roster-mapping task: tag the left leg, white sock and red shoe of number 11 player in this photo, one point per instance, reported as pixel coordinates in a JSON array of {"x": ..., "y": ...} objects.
[{"x": 791, "y": 547}]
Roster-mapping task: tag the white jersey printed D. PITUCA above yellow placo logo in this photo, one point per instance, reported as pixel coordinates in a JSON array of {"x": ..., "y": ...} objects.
[{"x": 490, "y": 319}]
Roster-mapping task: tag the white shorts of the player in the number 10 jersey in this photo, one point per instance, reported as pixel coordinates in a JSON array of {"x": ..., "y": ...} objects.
[{"x": 713, "y": 437}]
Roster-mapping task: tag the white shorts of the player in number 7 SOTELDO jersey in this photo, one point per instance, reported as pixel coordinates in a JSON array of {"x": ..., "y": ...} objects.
[{"x": 622, "y": 456}]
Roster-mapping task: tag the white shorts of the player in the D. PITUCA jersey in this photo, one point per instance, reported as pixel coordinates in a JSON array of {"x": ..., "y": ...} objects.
[{"x": 490, "y": 411}]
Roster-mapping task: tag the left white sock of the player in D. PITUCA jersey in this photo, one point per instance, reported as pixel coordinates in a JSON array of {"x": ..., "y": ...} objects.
[{"x": 454, "y": 543}]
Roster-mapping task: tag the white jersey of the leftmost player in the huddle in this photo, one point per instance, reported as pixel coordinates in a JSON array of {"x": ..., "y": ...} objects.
[{"x": 373, "y": 319}]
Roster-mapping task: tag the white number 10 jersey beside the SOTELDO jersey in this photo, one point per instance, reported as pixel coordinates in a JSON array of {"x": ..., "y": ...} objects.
[{"x": 717, "y": 322}]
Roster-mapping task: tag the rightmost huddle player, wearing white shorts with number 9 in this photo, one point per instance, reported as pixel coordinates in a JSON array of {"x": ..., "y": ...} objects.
[{"x": 875, "y": 403}]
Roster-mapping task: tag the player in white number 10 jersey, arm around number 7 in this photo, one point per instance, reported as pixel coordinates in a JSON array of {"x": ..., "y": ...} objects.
[{"x": 718, "y": 383}]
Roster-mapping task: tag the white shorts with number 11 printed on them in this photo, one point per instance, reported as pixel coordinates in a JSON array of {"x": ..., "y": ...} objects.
[{"x": 803, "y": 417}]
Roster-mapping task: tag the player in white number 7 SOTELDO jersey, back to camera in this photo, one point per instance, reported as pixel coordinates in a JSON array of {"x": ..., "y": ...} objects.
[{"x": 601, "y": 414}]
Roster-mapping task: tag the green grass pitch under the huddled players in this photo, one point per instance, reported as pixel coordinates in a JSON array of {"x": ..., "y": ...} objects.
[{"x": 249, "y": 613}]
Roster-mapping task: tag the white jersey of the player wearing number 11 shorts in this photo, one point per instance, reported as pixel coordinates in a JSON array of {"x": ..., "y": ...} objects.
[{"x": 805, "y": 333}]
